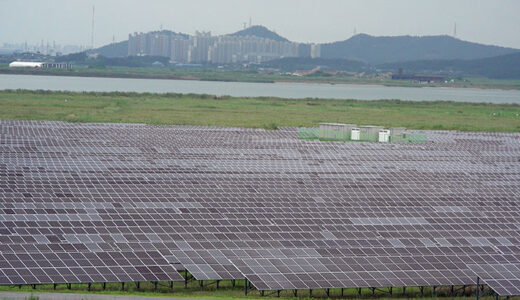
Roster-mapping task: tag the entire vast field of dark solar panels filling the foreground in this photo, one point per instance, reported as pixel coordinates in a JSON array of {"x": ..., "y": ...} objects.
[{"x": 131, "y": 202}]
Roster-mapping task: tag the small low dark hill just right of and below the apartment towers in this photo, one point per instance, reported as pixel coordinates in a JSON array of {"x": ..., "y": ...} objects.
[{"x": 307, "y": 63}]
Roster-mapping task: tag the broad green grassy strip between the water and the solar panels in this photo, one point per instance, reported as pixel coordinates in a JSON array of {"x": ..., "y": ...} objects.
[{"x": 253, "y": 112}]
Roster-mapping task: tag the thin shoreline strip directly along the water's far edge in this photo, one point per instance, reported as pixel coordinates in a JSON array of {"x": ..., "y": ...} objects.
[{"x": 195, "y": 78}]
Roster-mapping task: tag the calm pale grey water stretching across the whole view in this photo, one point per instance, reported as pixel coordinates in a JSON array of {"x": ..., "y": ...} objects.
[{"x": 243, "y": 89}]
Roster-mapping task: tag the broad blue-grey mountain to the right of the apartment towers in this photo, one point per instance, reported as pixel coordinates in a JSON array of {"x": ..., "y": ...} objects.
[{"x": 378, "y": 50}]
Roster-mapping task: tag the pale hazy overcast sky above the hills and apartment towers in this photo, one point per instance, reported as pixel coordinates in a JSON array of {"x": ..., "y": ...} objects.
[{"x": 69, "y": 21}]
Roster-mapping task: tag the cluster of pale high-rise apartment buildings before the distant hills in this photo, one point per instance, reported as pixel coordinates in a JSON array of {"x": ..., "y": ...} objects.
[{"x": 205, "y": 48}]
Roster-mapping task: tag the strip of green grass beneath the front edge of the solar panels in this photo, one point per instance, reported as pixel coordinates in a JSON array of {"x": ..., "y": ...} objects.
[{"x": 226, "y": 291}]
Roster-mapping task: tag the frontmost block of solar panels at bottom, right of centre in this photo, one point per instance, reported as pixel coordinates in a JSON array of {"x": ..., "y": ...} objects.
[{"x": 351, "y": 272}]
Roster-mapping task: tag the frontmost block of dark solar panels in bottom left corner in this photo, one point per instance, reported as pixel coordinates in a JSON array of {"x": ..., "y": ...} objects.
[{"x": 62, "y": 267}]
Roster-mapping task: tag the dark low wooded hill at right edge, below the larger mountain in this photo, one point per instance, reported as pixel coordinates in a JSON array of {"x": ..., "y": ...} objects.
[{"x": 498, "y": 67}]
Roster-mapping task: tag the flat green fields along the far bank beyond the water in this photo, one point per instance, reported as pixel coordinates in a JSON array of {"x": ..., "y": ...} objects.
[{"x": 250, "y": 76}]
